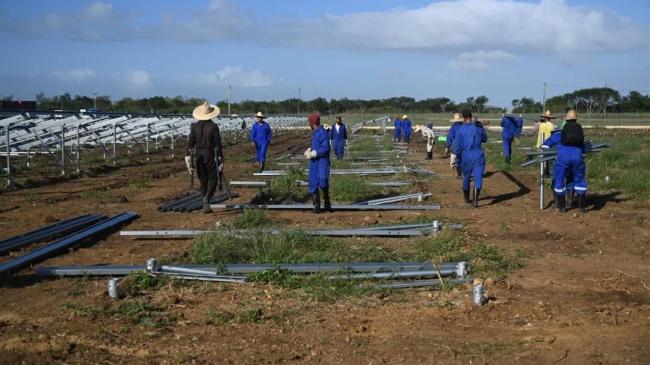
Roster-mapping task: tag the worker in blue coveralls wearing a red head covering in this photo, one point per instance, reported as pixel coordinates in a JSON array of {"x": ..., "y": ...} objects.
[{"x": 319, "y": 164}]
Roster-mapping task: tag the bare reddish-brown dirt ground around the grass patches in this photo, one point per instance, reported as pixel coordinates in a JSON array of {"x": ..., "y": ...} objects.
[{"x": 582, "y": 297}]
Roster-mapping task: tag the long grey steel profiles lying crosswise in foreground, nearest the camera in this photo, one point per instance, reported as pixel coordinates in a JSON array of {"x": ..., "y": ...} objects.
[{"x": 306, "y": 268}]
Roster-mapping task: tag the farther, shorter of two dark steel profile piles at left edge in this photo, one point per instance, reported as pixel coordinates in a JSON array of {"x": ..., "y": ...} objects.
[{"x": 49, "y": 232}]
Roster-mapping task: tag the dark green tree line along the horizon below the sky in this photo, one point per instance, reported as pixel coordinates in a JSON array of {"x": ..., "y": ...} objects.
[{"x": 591, "y": 100}]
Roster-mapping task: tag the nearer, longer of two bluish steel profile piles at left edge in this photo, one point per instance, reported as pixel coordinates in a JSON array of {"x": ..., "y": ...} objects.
[{"x": 67, "y": 242}]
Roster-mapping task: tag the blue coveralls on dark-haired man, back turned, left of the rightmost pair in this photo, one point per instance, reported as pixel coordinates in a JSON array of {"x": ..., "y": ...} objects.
[{"x": 467, "y": 145}]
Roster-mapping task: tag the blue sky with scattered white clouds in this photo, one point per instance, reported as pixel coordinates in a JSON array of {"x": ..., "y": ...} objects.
[{"x": 268, "y": 50}]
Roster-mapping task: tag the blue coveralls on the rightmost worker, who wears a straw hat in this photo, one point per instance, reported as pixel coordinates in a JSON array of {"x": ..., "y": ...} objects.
[{"x": 569, "y": 161}]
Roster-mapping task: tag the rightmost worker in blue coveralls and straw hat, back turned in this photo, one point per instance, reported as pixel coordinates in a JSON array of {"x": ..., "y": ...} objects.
[{"x": 569, "y": 163}]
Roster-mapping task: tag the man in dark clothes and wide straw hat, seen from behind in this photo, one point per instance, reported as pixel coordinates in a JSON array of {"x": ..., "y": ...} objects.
[{"x": 204, "y": 143}]
